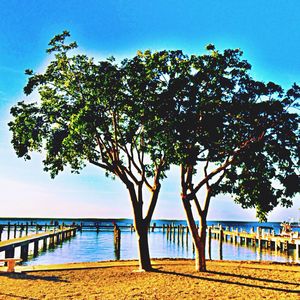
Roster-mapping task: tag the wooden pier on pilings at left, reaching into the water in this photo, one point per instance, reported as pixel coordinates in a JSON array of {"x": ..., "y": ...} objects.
[{"x": 49, "y": 240}]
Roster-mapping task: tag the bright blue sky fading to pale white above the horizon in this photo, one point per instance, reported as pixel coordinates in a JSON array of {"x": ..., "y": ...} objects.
[{"x": 268, "y": 32}]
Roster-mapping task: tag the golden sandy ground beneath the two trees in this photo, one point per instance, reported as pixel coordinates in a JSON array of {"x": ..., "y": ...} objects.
[{"x": 173, "y": 279}]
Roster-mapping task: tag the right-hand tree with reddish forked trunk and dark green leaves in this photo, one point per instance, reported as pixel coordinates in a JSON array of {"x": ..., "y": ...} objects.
[{"x": 242, "y": 133}]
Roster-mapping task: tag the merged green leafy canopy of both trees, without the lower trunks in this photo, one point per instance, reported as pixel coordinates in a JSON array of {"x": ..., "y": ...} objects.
[{"x": 162, "y": 108}]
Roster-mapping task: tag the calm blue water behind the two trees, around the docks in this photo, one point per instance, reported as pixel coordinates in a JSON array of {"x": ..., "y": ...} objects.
[{"x": 93, "y": 246}]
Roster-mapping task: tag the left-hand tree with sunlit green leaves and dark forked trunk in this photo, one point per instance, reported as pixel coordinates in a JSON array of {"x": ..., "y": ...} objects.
[{"x": 97, "y": 113}]
